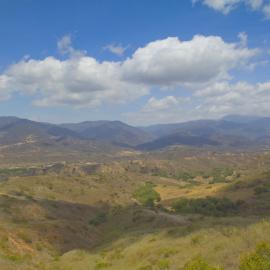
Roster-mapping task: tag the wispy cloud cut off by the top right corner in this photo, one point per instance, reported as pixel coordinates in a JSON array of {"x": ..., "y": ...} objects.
[{"x": 226, "y": 6}]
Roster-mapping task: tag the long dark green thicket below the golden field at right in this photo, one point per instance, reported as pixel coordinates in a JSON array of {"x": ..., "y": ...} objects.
[{"x": 206, "y": 206}]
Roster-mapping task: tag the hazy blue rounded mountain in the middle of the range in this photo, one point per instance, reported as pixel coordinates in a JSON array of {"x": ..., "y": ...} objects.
[{"x": 115, "y": 132}]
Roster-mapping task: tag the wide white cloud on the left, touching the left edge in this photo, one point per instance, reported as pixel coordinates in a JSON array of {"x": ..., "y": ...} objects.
[{"x": 76, "y": 81}]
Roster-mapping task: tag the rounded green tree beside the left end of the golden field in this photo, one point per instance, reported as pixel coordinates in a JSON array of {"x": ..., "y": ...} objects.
[{"x": 146, "y": 195}]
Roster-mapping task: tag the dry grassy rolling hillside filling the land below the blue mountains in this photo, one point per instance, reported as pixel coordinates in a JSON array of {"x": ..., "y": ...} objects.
[{"x": 145, "y": 212}]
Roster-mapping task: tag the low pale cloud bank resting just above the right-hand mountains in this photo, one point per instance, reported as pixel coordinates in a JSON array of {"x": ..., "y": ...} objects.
[{"x": 214, "y": 101}]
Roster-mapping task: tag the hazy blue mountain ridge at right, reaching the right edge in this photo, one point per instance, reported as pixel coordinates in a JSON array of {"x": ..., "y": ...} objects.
[{"x": 231, "y": 131}]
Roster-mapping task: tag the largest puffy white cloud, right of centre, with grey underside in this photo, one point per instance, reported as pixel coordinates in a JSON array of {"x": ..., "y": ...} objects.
[{"x": 171, "y": 62}]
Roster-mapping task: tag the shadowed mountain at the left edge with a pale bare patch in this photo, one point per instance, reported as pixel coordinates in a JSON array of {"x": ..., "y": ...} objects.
[{"x": 25, "y": 140}]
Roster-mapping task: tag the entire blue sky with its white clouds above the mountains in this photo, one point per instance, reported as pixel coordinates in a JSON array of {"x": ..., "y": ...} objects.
[{"x": 141, "y": 62}]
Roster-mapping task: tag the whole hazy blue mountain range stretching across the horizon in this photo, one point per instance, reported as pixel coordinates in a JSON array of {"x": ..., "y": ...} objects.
[{"x": 231, "y": 131}]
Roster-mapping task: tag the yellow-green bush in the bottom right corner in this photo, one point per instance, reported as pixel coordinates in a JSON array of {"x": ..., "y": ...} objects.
[{"x": 257, "y": 260}]
